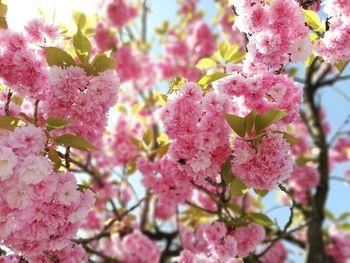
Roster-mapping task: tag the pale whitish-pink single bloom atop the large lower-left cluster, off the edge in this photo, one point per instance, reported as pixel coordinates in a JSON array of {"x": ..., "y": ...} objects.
[{"x": 34, "y": 169}]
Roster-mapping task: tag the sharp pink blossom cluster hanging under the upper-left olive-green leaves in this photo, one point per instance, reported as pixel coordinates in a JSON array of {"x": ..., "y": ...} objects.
[{"x": 83, "y": 99}]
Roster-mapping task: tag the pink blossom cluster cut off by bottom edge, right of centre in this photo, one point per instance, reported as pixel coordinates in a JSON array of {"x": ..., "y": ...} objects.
[{"x": 215, "y": 243}]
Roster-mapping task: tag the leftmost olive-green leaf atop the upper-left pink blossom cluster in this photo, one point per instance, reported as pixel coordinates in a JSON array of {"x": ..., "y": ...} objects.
[{"x": 58, "y": 57}]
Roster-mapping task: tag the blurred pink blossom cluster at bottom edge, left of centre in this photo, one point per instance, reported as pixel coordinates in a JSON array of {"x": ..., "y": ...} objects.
[{"x": 136, "y": 248}]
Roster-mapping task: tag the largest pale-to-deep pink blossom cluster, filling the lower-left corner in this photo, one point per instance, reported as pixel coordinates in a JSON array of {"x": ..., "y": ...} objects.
[{"x": 40, "y": 210}]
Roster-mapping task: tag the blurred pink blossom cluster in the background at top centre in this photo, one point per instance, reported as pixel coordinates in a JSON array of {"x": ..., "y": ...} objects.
[{"x": 181, "y": 55}]
